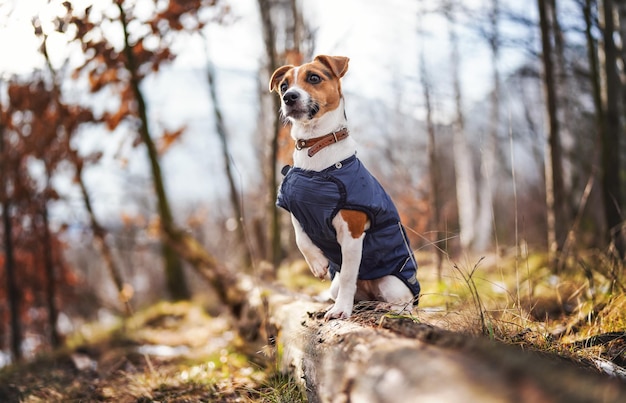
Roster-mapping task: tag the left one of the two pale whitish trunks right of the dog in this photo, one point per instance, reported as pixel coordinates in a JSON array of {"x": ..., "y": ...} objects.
[{"x": 463, "y": 164}]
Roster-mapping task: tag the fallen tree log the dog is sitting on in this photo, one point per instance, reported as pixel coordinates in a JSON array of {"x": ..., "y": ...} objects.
[{"x": 399, "y": 360}]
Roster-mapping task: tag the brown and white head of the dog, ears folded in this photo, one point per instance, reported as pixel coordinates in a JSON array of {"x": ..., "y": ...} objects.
[{"x": 310, "y": 90}]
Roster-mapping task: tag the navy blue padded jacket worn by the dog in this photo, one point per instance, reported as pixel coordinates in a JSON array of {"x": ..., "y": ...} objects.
[{"x": 314, "y": 198}]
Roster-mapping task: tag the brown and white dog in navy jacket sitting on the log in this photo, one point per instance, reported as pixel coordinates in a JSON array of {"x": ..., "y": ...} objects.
[{"x": 345, "y": 224}]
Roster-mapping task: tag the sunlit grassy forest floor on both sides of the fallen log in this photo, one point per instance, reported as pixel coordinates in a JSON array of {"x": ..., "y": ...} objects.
[{"x": 178, "y": 352}]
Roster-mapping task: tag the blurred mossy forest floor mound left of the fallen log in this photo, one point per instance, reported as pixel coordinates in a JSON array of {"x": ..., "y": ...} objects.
[{"x": 171, "y": 352}]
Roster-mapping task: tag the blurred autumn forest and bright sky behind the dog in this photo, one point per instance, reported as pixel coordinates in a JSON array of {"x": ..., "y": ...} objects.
[{"x": 140, "y": 149}]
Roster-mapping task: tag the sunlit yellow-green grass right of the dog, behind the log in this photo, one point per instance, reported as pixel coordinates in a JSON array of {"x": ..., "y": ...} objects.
[{"x": 522, "y": 301}]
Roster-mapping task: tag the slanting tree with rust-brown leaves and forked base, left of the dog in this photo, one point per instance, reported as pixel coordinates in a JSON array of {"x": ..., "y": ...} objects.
[{"x": 122, "y": 73}]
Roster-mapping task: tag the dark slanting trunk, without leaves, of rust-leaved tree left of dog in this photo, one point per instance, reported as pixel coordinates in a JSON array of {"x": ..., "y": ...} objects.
[{"x": 174, "y": 275}]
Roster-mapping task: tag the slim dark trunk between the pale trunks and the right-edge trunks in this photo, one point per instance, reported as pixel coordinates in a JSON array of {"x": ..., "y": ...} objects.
[{"x": 553, "y": 156}]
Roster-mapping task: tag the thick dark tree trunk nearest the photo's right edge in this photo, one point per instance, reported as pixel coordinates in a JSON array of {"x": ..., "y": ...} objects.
[{"x": 611, "y": 137}]
